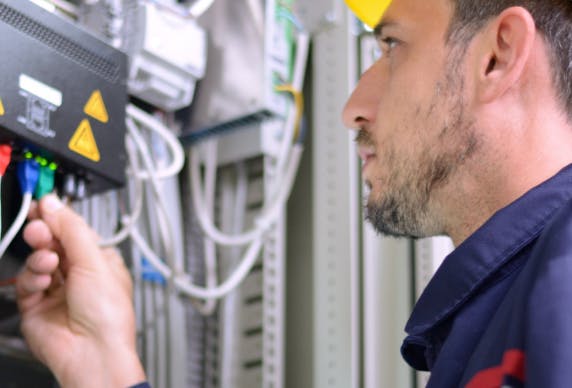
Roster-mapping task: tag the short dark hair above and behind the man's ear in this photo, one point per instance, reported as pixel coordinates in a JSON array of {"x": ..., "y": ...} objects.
[{"x": 553, "y": 19}]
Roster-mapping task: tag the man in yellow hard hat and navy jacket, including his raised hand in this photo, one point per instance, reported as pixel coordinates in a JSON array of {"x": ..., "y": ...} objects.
[{"x": 465, "y": 129}]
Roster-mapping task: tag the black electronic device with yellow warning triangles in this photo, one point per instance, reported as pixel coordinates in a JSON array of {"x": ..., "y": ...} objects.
[{"x": 63, "y": 94}]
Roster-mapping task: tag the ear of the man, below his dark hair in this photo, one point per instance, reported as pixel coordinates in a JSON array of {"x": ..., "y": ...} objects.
[{"x": 506, "y": 49}]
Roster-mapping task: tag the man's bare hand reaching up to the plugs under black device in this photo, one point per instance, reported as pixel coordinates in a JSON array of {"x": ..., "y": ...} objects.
[{"x": 76, "y": 302}]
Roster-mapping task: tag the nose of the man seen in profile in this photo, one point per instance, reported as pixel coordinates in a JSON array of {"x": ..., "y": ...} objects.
[{"x": 361, "y": 108}]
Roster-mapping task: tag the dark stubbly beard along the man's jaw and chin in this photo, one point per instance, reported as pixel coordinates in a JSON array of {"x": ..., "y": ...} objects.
[{"x": 406, "y": 207}]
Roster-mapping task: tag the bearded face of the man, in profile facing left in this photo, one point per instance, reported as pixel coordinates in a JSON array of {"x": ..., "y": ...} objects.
[{"x": 411, "y": 110}]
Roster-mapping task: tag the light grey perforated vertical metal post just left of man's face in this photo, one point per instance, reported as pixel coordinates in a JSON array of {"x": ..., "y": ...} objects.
[{"x": 337, "y": 349}]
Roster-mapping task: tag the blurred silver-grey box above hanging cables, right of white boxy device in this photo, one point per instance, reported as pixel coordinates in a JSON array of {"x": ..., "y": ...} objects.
[{"x": 250, "y": 53}]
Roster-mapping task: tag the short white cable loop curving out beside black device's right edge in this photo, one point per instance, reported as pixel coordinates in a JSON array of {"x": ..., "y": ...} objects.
[{"x": 174, "y": 144}]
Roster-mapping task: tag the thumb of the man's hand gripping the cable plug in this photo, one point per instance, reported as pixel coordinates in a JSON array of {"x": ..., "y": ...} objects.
[{"x": 77, "y": 239}]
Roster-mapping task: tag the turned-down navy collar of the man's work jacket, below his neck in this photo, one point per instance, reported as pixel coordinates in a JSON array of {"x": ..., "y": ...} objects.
[{"x": 492, "y": 246}]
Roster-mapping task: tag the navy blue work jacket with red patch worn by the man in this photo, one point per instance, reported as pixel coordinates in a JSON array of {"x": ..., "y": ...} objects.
[{"x": 498, "y": 312}]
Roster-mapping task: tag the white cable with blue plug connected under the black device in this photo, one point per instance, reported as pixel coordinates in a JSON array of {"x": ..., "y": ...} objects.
[{"x": 28, "y": 174}]
